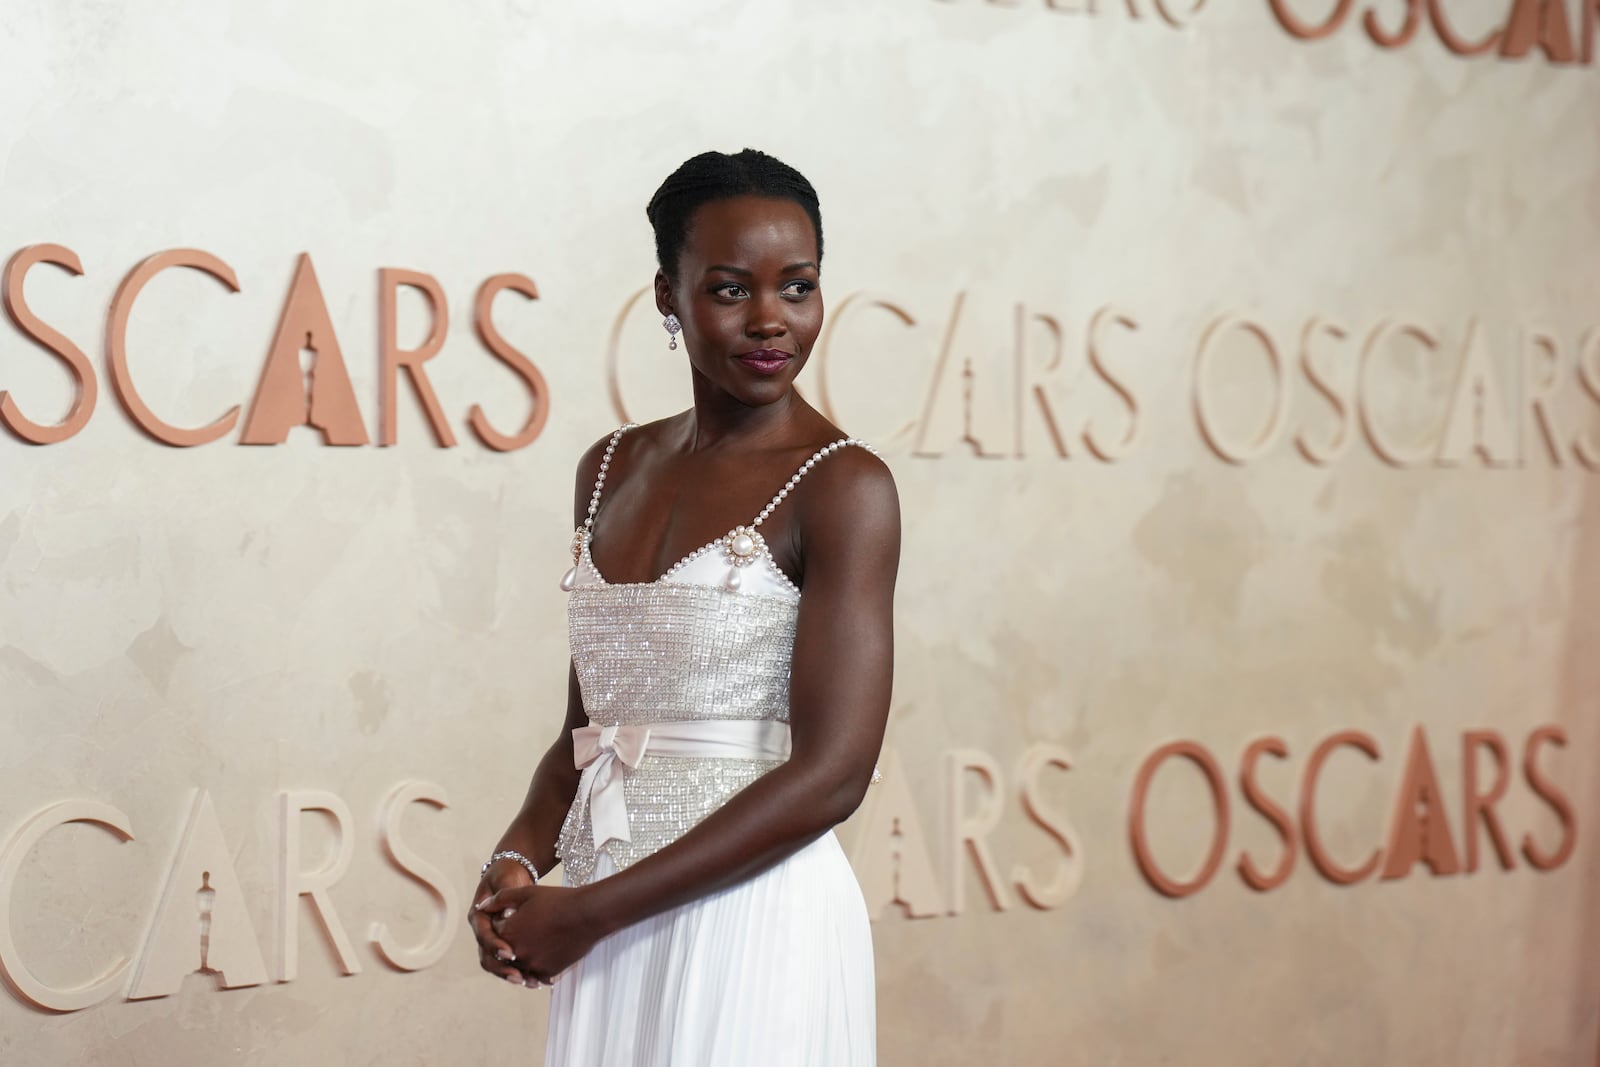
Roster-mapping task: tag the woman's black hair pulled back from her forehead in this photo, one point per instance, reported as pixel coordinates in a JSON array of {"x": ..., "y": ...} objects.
[{"x": 719, "y": 177}]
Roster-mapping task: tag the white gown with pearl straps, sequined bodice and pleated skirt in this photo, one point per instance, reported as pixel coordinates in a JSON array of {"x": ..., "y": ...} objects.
[{"x": 686, "y": 682}]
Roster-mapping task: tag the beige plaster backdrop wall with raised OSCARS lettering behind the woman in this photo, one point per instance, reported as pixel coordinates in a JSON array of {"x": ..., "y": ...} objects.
[{"x": 1313, "y": 321}]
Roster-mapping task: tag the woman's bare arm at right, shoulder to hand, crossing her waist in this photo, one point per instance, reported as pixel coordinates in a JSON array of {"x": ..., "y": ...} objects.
[{"x": 839, "y": 703}]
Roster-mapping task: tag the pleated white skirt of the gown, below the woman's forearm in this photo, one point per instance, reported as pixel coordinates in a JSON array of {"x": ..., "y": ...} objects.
[{"x": 775, "y": 972}]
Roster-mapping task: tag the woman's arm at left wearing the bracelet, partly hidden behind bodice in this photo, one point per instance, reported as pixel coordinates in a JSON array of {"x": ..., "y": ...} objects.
[{"x": 538, "y": 823}]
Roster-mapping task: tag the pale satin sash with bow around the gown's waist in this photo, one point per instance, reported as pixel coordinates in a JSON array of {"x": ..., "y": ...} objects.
[{"x": 599, "y": 749}]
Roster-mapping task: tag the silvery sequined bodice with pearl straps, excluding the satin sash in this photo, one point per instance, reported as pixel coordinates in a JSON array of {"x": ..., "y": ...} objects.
[{"x": 710, "y": 641}]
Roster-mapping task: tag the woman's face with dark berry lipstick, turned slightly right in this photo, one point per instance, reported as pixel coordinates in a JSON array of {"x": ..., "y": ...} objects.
[{"x": 748, "y": 295}]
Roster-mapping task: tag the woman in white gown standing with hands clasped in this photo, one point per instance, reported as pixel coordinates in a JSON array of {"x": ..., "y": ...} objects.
[{"x": 732, "y": 629}]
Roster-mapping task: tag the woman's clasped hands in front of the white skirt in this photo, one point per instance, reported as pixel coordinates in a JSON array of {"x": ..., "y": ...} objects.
[{"x": 527, "y": 933}]
